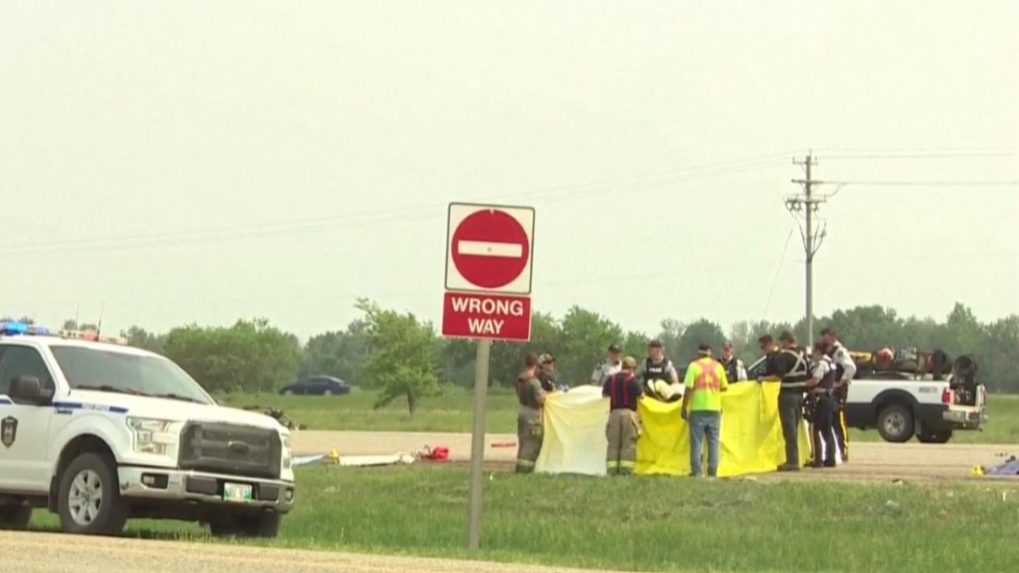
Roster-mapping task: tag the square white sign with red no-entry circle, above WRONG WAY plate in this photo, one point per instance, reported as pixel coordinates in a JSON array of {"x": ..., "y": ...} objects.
[{"x": 490, "y": 248}]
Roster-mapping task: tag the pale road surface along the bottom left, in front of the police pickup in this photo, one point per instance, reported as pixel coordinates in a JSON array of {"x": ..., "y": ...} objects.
[{"x": 50, "y": 553}]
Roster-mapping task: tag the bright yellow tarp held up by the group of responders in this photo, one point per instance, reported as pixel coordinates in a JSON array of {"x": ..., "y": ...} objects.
[{"x": 752, "y": 435}]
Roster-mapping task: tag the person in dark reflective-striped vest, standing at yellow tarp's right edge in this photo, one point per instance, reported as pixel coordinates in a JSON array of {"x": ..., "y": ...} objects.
[{"x": 791, "y": 366}]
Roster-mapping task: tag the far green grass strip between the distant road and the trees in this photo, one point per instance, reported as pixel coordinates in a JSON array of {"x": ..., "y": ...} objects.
[{"x": 453, "y": 412}]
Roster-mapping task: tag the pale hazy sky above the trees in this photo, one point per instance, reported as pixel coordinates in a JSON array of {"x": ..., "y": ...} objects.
[{"x": 202, "y": 162}]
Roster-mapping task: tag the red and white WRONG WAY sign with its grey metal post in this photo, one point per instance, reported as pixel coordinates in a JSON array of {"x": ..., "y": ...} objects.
[{"x": 490, "y": 256}]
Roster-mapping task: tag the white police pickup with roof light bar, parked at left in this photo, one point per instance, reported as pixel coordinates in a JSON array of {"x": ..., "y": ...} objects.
[{"x": 100, "y": 434}]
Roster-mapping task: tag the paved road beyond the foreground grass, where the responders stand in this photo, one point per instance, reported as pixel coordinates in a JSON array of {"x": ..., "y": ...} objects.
[{"x": 871, "y": 460}]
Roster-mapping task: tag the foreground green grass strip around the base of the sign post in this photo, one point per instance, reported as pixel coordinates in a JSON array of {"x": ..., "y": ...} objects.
[{"x": 656, "y": 525}]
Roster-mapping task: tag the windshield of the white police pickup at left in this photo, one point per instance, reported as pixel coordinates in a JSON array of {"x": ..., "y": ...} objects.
[{"x": 88, "y": 369}]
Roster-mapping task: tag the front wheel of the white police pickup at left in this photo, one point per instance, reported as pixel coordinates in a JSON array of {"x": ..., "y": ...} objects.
[{"x": 89, "y": 499}]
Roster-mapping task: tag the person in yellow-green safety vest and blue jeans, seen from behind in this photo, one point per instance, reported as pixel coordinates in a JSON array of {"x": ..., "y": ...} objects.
[{"x": 706, "y": 382}]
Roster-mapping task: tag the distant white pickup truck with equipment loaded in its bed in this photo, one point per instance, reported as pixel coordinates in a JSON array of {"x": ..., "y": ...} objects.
[{"x": 901, "y": 406}]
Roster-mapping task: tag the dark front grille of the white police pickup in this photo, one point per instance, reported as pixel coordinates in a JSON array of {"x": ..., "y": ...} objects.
[{"x": 231, "y": 449}]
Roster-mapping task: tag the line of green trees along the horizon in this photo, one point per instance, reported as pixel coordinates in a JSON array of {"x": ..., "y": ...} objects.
[{"x": 405, "y": 358}]
